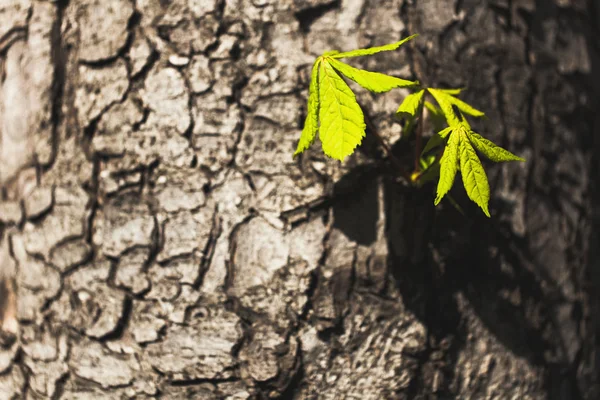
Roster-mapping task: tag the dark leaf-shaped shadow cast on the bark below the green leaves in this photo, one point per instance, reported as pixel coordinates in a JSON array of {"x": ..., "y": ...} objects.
[{"x": 437, "y": 256}]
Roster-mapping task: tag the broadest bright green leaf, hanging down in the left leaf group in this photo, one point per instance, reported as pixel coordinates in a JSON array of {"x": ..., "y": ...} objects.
[{"x": 342, "y": 121}]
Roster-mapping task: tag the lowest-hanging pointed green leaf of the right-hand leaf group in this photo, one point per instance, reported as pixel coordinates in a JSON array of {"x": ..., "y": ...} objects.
[{"x": 473, "y": 174}]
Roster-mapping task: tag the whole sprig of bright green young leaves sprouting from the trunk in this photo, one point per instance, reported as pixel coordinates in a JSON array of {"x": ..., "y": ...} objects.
[{"x": 334, "y": 112}]
